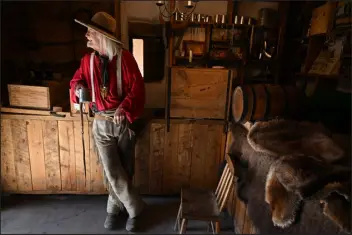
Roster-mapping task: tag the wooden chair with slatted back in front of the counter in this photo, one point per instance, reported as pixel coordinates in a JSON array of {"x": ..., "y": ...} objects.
[{"x": 204, "y": 205}]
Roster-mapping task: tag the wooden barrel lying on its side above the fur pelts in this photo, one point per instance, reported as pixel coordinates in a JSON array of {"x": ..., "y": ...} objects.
[{"x": 256, "y": 102}]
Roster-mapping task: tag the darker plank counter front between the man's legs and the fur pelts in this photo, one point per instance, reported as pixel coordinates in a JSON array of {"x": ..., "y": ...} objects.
[{"x": 188, "y": 155}]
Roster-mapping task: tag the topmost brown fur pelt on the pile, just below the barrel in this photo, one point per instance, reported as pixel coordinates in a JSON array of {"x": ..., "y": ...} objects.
[{"x": 284, "y": 137}]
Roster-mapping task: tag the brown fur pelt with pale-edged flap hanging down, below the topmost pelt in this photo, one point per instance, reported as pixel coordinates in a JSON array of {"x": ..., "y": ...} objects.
[{"x": 290, "y": 177}]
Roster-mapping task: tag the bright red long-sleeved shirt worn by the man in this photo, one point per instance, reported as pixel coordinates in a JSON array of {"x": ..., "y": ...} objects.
[{"x": 132, "y": 85}]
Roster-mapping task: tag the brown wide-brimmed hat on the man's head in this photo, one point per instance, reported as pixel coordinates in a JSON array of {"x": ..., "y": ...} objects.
[{"x": 103, "y": 23}]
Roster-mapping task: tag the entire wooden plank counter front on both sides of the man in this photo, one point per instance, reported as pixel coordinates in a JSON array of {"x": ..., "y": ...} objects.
[{"x": 44, "y": 155}]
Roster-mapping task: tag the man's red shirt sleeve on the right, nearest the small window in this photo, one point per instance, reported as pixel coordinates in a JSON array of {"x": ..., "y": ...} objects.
[{"x": 133, "y": 103}]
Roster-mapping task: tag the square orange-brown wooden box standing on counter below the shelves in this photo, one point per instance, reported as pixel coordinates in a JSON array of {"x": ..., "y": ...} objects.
[{"x": 199, "y": 93}]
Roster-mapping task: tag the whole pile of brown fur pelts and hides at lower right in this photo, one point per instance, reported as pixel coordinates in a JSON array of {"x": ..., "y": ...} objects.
[{"x": 290, "y": 179}]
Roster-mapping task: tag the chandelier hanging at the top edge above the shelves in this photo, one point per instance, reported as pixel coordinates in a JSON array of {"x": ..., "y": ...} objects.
[{"x": 166, "y": 11}]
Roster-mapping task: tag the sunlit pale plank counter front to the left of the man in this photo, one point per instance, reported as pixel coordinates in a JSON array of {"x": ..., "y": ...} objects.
[{"x": 46, "y": 156}]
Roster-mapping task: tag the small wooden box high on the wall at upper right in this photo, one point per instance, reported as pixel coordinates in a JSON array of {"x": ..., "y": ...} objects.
[{"x": 322, "y": 18}]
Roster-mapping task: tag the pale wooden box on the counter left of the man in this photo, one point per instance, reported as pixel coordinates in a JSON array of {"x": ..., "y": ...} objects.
[{"x": 38, "y": 97}]
